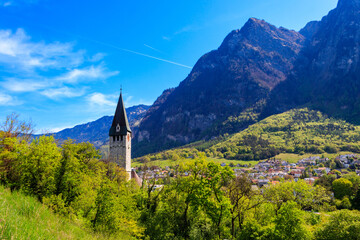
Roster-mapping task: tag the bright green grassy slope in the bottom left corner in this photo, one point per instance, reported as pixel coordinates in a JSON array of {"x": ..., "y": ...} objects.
[{"x": 23, "y": 217}]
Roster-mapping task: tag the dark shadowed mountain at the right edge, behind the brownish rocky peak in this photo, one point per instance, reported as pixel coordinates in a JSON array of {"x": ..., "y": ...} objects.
[{"x": 326, "y": 75}]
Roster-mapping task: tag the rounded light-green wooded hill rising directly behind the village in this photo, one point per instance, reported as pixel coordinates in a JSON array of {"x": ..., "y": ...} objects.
[{"x": 299, "y": 132}]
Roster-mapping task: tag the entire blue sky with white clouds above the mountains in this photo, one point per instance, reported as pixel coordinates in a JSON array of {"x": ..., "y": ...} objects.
[{"x": 62, "y": 63}]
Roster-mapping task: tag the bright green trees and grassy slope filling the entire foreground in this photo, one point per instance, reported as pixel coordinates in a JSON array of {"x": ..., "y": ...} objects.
[{"x": 92, "y": 199}]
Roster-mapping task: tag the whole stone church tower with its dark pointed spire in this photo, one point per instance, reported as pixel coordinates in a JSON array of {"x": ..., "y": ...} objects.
[{"x": 120, "y": 138}]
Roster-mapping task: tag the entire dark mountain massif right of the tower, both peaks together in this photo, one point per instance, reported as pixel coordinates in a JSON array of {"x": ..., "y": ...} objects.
[{"x": 258, "y": 71}]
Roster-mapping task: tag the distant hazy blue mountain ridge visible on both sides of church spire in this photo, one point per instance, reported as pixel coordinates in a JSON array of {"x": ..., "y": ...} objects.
[{"x": 97, "y": 132}]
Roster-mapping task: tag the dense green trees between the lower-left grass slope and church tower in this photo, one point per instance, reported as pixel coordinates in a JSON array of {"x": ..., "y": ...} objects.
[{"x": 73, "y": 182}]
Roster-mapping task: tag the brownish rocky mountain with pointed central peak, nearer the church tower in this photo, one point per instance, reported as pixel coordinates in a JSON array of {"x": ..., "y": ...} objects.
[{"x": 239, "y": 75}]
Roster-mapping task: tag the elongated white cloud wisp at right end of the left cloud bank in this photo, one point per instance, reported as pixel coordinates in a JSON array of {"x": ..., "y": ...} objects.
[{"x": 92, "y": 72}]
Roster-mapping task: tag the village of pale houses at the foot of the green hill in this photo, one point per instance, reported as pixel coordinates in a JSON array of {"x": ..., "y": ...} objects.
[{"x": 272, "y": 171}]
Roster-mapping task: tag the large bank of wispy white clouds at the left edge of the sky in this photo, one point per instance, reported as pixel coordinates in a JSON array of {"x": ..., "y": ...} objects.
[{"x": 55, "y": 70}]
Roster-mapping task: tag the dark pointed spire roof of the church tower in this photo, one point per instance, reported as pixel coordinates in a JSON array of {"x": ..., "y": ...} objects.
[{"x": 120, "y": 125}]
